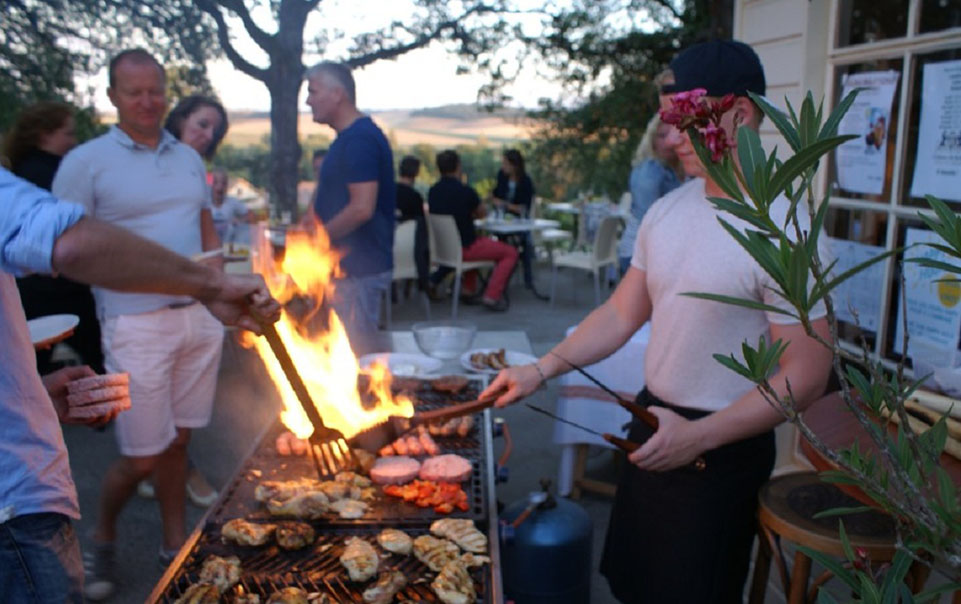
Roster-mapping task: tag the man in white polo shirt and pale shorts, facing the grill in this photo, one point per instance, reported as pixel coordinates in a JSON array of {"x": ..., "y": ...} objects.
[{"x": 139, "y": 177}]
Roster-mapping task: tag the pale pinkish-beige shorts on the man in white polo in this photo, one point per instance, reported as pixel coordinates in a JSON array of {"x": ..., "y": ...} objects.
[{"x": 172, "y": 356}]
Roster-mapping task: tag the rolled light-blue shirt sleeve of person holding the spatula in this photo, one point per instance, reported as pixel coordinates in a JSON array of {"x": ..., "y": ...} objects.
[{"x": 31, "y": 220}]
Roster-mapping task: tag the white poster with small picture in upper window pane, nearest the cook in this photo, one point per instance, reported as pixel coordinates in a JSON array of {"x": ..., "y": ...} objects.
[{"x": 862, "y": 161}]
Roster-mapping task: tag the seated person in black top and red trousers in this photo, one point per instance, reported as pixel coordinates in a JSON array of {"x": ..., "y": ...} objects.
[{"x": 449, "y": 196}]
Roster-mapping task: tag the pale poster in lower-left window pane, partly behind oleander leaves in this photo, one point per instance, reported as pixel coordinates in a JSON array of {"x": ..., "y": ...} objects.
[{"x": 860, "y": 295}]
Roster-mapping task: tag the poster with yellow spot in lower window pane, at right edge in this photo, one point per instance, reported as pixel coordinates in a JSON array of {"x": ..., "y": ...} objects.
[{"x": 934, "y": 309}]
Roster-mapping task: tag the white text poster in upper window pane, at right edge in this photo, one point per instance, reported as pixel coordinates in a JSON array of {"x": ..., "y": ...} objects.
[{"x": 937, "y": 170}]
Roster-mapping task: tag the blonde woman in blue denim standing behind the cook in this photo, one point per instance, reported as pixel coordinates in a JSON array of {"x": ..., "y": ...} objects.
[{"x": 654, "y": 173}]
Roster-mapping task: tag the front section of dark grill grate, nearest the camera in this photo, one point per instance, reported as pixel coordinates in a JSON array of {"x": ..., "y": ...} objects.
[{"x": 315, "y": 570}]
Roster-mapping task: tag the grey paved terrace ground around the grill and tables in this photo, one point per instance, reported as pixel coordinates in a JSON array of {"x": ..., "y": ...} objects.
[{"x": 245, "y": 403}]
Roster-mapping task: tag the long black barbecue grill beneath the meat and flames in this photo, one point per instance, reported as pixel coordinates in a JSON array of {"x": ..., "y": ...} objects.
[{"x": 268, "y": 568}]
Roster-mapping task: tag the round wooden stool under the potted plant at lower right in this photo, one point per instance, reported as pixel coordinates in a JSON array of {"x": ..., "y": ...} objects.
[{"x": 786, "y": 508}]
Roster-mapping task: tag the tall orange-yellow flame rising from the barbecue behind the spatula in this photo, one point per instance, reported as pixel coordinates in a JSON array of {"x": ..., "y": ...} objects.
[{"x": 301, "y": 280}]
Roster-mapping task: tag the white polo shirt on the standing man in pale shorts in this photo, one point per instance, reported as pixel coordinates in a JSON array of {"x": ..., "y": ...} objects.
[{"x": 157, "y": 193}]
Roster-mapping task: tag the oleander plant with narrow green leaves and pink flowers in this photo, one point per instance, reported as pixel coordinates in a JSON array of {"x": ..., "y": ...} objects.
[{"x": 904, "y": 478}]
